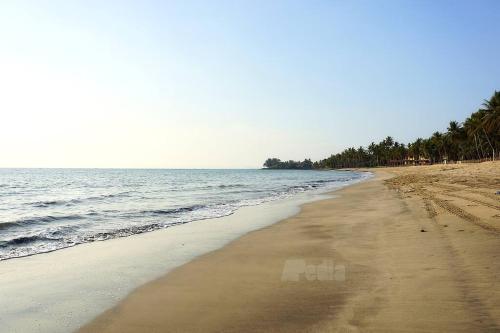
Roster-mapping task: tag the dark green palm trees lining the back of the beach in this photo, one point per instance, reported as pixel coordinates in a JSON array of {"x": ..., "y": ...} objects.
[{"x": 478, "y": 137}]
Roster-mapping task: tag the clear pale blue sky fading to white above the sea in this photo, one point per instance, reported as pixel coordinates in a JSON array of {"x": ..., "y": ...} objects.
[{"x": 226, "y": 84}]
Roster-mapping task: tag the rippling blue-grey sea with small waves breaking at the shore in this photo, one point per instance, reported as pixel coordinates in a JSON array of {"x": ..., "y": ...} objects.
[{"x": 44, "y": 210}]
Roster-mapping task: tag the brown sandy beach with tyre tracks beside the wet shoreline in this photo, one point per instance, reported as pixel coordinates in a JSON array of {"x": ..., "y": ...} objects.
[{"x": 414, "y": 249}]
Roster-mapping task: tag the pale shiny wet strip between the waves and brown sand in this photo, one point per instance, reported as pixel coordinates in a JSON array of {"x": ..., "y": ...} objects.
[{"x": 69, "y": 287}]
